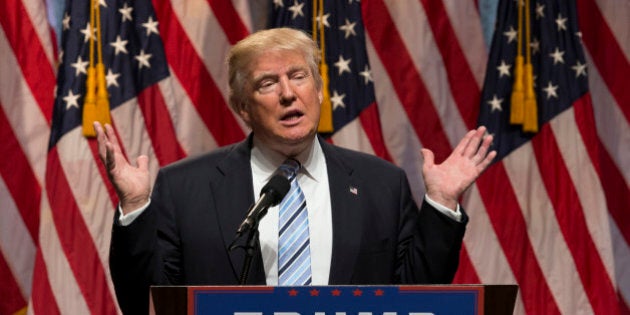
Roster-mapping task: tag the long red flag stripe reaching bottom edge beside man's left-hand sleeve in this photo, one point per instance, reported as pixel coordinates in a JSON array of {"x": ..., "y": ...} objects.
[{"x": 76, "y": 240}]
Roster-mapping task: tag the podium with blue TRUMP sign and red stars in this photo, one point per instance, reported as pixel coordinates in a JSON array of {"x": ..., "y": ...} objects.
[{"x": 334, "y": 300}]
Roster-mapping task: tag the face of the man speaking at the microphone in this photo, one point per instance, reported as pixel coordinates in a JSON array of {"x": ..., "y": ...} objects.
[{"x": 283, "y": 104}]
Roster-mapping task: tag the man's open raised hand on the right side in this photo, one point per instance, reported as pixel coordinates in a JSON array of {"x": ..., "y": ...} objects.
[{"x": 447, "y": 181}]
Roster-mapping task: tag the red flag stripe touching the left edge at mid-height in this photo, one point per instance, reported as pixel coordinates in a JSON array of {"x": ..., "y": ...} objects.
[{"x": 19, "y": 177}]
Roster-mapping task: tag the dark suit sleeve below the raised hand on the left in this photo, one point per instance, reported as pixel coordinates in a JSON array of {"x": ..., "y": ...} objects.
[{"x": 145, "y": 252}]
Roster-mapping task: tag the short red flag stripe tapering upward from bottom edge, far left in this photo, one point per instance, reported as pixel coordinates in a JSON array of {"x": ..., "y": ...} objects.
[{"x": 42, "y": 298}]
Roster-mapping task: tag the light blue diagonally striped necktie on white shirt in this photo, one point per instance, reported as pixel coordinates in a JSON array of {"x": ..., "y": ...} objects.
[{"x": 294, "y": 252}]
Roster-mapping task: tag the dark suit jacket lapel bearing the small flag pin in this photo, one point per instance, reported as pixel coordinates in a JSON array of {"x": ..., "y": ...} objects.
[{"x": 346, "y": 216}]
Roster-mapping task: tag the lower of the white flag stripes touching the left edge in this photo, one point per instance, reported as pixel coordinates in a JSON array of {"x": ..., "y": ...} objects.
[{"x": 16, "y": 244}]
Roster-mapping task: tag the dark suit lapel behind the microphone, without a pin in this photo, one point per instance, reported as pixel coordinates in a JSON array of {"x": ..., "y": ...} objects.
[{"x": 234, "y": 195}]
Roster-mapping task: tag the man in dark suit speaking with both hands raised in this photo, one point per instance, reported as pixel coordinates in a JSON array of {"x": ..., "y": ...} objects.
[{"x": 364, "y": 226}]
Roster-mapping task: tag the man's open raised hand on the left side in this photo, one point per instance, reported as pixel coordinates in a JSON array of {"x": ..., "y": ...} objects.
[{"x": 132, "y": 184}]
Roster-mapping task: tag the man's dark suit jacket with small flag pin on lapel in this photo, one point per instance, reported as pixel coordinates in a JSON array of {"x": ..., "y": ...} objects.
[{"x": 379, "y": 235}]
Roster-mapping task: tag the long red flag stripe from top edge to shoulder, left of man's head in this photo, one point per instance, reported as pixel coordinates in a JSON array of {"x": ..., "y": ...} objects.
[{"x": 191, "y": 72}]
